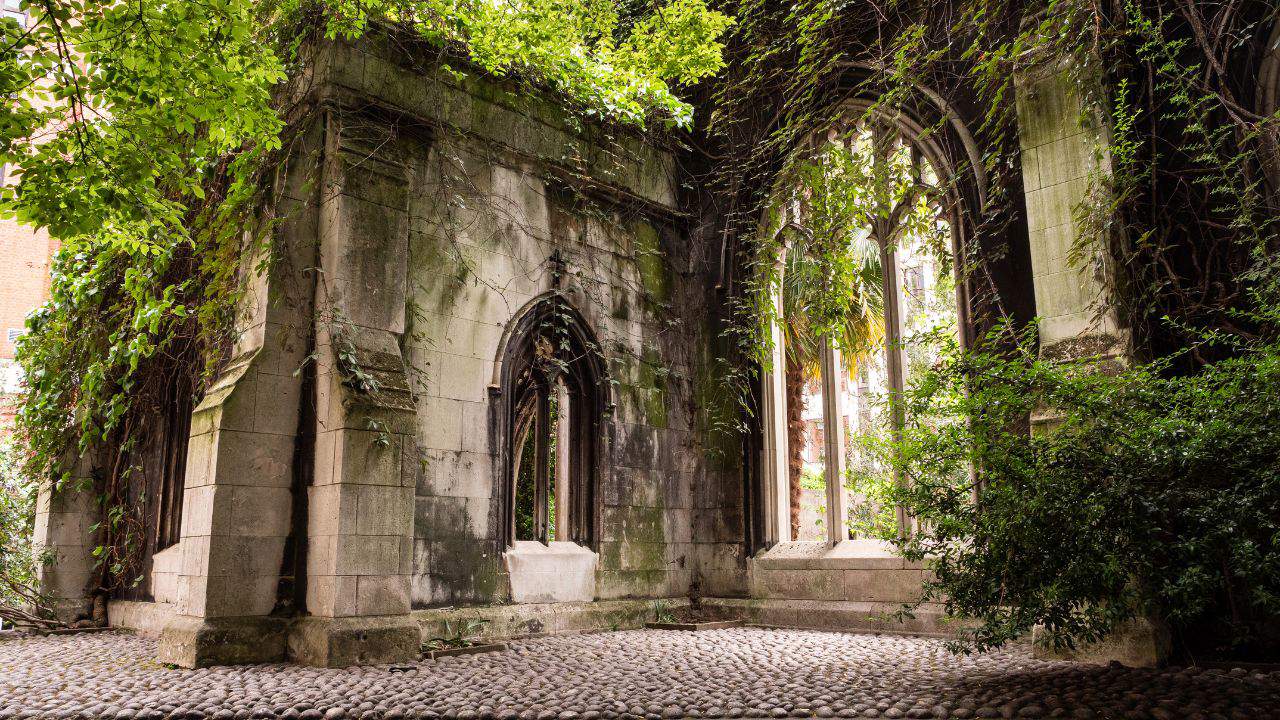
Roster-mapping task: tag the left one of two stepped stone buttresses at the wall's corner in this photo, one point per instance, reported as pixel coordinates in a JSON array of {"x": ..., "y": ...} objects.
[{"x": 237, "y": 499}]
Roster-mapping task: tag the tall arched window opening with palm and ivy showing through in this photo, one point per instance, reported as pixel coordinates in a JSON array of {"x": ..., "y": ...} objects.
[{"x": 867, "y": 299}]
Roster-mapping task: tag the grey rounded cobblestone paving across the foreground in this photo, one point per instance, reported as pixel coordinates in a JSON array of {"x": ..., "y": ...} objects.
[{"x": 652, "y": 675}]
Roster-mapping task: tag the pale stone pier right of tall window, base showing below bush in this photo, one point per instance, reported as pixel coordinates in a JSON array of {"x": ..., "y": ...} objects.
[{"x": 1064, "y": 148}]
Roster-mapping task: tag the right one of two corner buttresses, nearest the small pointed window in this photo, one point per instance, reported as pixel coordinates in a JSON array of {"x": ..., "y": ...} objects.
[{"x": 360, "y": 505}]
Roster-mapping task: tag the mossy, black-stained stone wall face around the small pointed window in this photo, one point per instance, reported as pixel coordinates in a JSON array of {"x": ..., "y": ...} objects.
[{"x": 505, "y": 185}]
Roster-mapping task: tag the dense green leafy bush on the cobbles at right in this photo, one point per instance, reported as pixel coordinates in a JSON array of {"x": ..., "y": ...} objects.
[{"x": 1153, "y": 496}]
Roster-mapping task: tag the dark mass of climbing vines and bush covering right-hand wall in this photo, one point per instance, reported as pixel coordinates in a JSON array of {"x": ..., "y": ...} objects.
[{"x": 1153, "y": 491}]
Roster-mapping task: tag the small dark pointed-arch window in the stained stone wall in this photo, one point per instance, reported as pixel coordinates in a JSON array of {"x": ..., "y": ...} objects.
[{"x": 555, "y": 394}]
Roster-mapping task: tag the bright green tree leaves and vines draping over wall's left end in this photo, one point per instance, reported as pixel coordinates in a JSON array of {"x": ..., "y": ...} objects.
[{"x": 147, "y": 136}]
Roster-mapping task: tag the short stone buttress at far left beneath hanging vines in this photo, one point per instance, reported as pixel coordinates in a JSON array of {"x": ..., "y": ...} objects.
[{"x": 65, "y": 541}]
